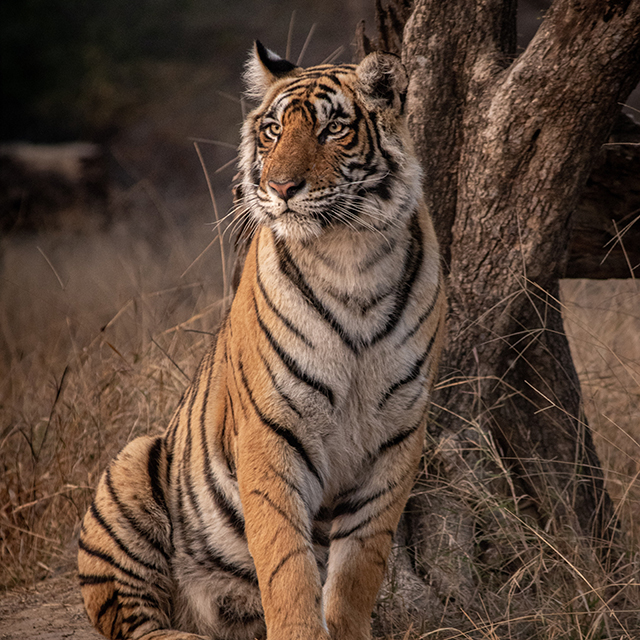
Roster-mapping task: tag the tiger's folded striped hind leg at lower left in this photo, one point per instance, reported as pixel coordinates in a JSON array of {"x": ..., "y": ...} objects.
[{"x": 125, "y": 548}]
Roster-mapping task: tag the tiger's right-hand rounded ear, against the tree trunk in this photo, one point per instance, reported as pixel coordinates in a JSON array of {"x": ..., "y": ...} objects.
[{"x": 383, "y": 81}]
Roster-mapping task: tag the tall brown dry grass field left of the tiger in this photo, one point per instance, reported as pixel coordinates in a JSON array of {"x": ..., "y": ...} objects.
[{"x": 98, "y": 337}]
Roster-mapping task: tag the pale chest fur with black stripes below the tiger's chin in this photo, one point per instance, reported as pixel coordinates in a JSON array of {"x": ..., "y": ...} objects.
[{"x": 360, "y": 300}]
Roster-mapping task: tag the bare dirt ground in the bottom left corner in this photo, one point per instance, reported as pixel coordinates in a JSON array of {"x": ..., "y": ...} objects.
[{"x": 50, "y": 610}]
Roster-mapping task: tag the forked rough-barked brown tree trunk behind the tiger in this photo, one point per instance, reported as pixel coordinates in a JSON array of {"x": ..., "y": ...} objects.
[{"x": 507, "y": 143}]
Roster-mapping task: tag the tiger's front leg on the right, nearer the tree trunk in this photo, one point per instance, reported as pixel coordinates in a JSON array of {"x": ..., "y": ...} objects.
[{"x": 361, "y": 537}]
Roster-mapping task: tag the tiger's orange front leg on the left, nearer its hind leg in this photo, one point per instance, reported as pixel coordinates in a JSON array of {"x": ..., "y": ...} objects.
[{"x": 273, "y": 489}]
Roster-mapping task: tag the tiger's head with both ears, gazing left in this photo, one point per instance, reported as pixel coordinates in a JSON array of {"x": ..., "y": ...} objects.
[{"x": 327, "y": 147}]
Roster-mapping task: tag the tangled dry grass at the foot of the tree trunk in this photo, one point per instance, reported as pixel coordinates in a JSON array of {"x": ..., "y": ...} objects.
[{"x": 514, "y": 580}]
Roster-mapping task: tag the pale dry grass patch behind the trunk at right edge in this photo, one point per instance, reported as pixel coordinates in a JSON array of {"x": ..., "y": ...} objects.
[{"x": 602, "y": 320}]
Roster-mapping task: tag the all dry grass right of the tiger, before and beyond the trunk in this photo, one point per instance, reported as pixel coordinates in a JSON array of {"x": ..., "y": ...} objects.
[{"x": 492, "y": 571}]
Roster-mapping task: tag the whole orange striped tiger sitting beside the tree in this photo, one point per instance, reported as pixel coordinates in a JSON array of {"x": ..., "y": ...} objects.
[{"x": 269, "y": 506}]
